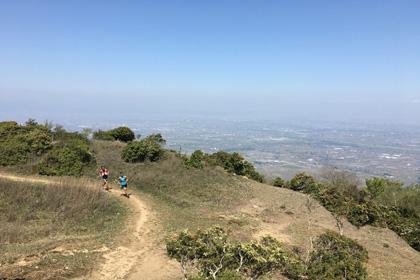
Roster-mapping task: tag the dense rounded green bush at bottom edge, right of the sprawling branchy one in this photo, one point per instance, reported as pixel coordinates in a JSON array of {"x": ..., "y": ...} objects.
[{"x": 337, "y": 257}]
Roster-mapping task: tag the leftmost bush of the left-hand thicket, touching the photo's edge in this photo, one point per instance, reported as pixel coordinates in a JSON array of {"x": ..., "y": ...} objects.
[{"x": 19, "y": 142}]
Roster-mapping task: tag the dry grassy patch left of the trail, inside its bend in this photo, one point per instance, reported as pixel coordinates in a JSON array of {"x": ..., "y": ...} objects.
[{"x": 54, "y": 231}]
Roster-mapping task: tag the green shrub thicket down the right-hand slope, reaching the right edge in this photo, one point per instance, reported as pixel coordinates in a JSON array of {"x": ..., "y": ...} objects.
[{"x": 382, "y": 203}]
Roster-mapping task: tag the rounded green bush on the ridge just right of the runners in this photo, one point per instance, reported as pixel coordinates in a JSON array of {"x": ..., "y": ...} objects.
[{"x": 147, "y": 149}]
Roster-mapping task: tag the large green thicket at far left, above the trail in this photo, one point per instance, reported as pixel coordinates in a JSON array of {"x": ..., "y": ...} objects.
[{"x": 46, "y": 150}]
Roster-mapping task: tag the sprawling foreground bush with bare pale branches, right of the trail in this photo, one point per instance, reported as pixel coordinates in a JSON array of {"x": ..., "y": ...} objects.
[{"x": 215, "y": 257}]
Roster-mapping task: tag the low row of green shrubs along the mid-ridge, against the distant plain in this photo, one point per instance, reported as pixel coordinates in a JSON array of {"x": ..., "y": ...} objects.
[{"x": 231, "y": 162}]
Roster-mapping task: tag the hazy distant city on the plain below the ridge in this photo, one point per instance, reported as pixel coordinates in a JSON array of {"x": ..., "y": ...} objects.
[{"x": 282, "y": 149}]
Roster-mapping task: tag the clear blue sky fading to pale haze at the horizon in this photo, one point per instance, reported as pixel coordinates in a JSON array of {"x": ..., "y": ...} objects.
[{"x": 289, "y": 60}]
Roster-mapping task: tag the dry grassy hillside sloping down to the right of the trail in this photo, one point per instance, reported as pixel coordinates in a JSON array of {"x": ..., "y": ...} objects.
[{"x": 199, "y": 198}]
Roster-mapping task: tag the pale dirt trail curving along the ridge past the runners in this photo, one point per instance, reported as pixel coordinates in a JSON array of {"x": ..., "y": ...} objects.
[{"x": 141, "y": 252}]
